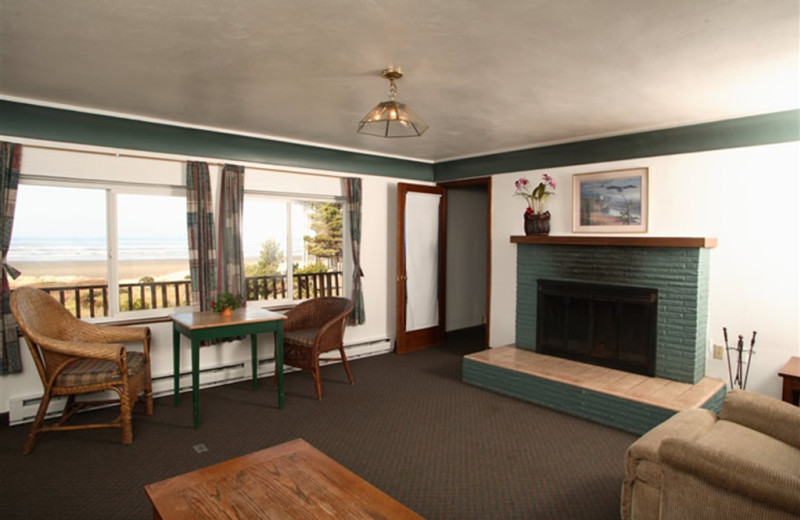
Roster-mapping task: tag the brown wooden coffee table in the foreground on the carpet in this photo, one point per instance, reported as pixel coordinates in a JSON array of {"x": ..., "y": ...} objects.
[{"x": 291, "y": 480}]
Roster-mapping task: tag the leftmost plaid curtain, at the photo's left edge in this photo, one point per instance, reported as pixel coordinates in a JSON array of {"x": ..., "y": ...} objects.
[{"x": 10, "y": 157}]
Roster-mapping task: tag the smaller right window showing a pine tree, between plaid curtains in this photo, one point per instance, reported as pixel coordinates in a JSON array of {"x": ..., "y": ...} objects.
[{"x": 292, "y": 248}]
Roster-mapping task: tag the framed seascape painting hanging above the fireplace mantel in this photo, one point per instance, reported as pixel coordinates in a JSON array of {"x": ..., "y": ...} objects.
[{"x": 610, "y": 202}]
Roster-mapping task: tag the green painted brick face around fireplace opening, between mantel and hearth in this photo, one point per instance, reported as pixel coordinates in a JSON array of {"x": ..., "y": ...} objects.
[{"x": 680, "y": 275}]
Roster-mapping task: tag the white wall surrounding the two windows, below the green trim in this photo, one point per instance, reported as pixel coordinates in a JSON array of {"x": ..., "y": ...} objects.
[{"x": 377, "y": 255}]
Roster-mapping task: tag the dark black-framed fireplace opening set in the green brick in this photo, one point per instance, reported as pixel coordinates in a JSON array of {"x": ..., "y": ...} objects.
[{"x": 607, "y": 325}]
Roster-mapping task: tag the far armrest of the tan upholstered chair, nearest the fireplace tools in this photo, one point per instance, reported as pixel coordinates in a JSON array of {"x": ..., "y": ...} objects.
[{"x": 764, "y": 414}]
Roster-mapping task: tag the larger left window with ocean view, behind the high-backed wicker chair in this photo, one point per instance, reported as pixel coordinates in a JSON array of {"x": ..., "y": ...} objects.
[{"x": 102, "y": 251}]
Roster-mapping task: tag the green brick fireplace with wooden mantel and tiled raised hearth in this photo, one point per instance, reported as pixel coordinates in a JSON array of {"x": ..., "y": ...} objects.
[{"x": 675, "y": 274}]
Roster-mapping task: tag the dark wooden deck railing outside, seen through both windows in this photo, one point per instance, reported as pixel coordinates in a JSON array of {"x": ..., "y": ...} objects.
[{"x": 93, "y": 299}]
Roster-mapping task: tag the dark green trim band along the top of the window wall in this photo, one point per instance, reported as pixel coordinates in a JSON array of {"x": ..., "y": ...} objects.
[{"x": 53, "y": 124}]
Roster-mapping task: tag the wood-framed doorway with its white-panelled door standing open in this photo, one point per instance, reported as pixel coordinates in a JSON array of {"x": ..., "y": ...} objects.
[{"x": 456, "y": 268}]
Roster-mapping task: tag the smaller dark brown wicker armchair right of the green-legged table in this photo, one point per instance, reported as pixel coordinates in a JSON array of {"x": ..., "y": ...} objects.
[{"x": 315, "y": 327}]
